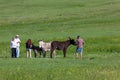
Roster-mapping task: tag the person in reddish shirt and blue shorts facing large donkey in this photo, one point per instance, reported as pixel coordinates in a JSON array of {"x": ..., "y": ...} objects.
[{"x": 79, "y": 49}]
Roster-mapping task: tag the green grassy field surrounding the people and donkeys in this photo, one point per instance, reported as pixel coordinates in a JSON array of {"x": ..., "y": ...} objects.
[{"x": 96, "y": 21}]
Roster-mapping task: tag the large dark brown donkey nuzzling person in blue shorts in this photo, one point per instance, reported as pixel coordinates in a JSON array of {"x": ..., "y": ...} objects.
[{"x": 61, "y": 46}]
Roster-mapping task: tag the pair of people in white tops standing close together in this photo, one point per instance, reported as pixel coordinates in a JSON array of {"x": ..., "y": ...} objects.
[{"x": 15, "y": 46}]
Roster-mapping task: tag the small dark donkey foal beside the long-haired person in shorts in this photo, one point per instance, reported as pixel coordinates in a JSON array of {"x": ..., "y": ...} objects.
[{"x": 36, "y": 49}]
